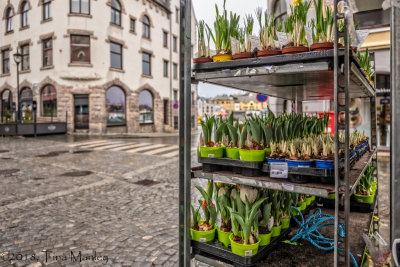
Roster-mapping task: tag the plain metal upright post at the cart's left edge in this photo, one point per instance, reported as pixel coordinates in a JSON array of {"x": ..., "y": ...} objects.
[{"x": 185, "y": 132}]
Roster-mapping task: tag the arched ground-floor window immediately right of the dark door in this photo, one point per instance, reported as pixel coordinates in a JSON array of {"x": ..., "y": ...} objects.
[{"x": 115, "y": 106}]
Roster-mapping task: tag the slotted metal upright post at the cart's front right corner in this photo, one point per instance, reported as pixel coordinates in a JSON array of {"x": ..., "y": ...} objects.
[{"x": 341, "y": 92}]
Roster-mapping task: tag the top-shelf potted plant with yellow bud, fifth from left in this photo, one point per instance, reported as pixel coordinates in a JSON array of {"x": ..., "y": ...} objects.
[{"x": 295, "y": 28}]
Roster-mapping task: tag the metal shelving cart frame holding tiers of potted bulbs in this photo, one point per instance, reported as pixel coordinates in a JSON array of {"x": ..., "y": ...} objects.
[{"x": 333, "y": 74}]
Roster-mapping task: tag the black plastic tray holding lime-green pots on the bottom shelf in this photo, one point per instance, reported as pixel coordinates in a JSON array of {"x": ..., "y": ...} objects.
[{"x": 217, "y": 250}]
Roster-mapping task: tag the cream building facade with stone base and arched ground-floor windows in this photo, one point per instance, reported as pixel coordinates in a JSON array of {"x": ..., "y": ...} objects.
[{"x": 108, "y": 66}]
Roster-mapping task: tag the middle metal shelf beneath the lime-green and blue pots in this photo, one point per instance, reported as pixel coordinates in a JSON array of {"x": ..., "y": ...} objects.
[{"x": 317, "y": 189}]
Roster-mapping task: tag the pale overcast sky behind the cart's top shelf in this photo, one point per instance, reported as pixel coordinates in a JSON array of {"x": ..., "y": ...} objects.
[{"x": 205, "y": 10}]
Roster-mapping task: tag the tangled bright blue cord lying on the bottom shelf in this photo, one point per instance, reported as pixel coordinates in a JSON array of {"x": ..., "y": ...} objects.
[{"x": 309, "y": 230}]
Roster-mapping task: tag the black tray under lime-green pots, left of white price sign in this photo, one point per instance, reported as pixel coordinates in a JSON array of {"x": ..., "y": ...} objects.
[{"x": 246, "y": 168}]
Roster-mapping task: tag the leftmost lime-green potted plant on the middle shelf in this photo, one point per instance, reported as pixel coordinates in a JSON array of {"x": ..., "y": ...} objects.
[{"x": 210, "y": 148}]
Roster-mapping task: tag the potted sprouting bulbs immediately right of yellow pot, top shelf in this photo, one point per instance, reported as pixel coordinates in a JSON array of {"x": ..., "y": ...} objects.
[{"x": 244, "y": 49}]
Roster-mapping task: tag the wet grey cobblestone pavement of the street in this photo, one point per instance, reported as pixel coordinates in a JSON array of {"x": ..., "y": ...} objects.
[{"x": 103, "y": 207}]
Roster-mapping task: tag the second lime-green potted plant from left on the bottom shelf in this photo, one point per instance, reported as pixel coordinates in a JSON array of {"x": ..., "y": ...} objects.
[{"x": 223, "y": 204}]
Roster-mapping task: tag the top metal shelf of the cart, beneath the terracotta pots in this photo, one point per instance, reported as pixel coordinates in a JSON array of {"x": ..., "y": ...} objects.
[{"x": 304, "y": 76}]
